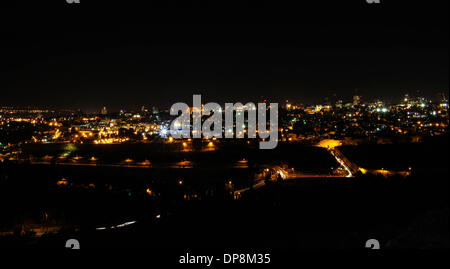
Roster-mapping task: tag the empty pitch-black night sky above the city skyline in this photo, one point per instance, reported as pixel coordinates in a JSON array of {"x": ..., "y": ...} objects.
[{"x": 124, "y": 55}]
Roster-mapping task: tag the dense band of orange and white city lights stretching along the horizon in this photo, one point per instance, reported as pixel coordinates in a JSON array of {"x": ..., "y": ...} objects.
[{"x": 410, "y": 116}]
